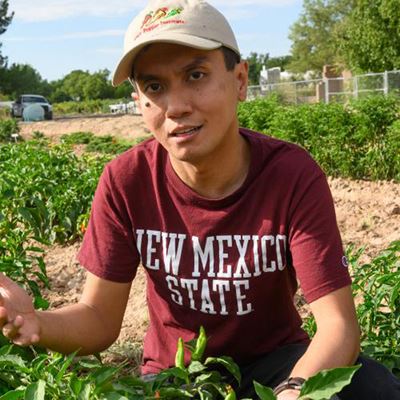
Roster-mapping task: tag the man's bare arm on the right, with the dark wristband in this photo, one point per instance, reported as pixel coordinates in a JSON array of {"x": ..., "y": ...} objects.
[{"x": 337, "y": 340}]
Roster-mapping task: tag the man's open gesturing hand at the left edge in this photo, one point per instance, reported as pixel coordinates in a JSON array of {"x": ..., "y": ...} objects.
[{"x": 18, "y": 319}]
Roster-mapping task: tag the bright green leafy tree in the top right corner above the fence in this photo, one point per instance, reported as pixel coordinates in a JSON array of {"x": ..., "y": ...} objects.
[{"x": 369, "y": 38}]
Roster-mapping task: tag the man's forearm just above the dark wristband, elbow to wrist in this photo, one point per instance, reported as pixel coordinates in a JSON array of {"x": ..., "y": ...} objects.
[{"x": 337, "y": 346}]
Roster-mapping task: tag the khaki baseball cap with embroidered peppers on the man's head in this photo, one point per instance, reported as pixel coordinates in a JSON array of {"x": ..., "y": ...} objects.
[{"x": 192, "y": 23}]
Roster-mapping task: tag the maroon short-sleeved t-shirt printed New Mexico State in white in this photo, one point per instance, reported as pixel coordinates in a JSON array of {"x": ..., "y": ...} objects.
[{"x": 231, "y": 264}]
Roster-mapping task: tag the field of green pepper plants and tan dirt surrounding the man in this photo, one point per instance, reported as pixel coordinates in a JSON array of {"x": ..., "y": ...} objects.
[{"x": 47, "y": 185}]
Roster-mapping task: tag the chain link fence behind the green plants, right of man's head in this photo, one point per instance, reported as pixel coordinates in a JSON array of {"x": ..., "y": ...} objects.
[{"x": 330, "y": 89}]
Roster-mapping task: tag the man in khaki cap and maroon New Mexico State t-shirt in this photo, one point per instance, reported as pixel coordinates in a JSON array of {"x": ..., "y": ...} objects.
[{"x": 224, "y": 221}]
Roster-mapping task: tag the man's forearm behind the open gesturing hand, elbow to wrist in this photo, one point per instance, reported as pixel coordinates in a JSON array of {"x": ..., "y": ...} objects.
[{"x": 74, "y": 327}]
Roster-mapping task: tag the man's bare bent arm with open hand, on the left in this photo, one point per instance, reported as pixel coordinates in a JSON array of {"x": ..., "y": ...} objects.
[{"x": 91, "y": 325}]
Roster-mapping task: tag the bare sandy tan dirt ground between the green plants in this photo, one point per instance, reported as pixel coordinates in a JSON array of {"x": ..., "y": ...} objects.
[{"x": 368, "y": 214}]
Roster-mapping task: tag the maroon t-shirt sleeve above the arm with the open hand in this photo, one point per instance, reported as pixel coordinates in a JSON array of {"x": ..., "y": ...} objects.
[{"x": 108, "y": 249}]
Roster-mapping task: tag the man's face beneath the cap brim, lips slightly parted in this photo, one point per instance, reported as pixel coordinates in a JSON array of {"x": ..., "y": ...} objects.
[{"x": 189, "y": 99}]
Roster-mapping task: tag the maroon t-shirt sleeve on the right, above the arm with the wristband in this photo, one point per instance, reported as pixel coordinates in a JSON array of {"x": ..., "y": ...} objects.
[{"x": 315, "y": 243}]
